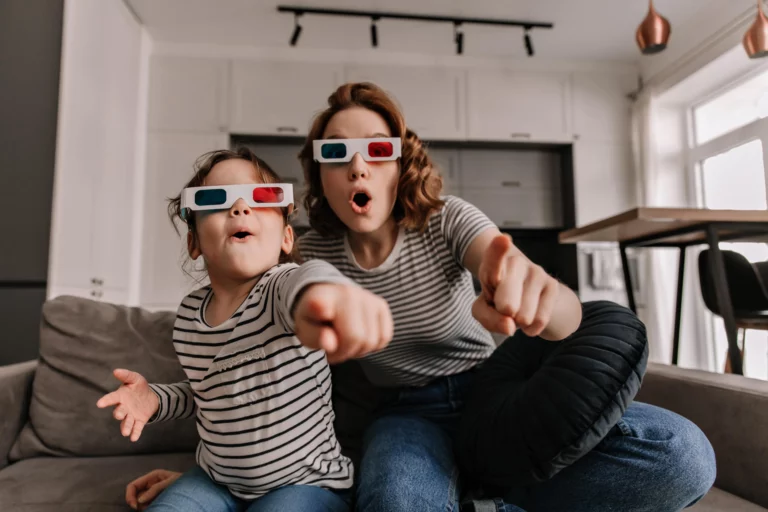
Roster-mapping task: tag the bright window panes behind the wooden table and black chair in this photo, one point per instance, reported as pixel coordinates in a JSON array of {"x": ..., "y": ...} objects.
[{"x": 730, "y": 132}]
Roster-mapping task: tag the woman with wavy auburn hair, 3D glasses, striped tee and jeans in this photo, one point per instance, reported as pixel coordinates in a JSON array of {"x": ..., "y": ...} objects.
[{"x": 375, "y": 208}]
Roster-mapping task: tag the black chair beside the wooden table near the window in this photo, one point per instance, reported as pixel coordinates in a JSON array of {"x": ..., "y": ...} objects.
[{"x": 747, "y": 290}]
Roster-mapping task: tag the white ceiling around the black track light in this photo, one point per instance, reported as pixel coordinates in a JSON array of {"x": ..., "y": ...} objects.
[{"x": 600, "y": 30}]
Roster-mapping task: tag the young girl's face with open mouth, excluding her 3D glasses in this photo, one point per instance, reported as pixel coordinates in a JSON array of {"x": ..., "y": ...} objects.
[{"x": 242, "y": 242}]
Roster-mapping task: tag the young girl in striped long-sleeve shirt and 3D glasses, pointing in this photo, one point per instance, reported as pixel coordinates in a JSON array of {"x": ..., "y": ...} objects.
[{"x": 261, "y": 393}]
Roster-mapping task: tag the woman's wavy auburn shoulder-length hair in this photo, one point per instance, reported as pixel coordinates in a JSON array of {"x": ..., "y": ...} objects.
[{"x": 419, "y": 187}]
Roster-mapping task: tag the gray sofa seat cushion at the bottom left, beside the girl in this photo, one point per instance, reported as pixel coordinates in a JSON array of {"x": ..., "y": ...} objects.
[{"x": 64, "y": 484}]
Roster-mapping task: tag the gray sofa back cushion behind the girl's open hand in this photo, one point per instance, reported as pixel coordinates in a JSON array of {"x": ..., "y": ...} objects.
[{"x": 81, "y": 342}]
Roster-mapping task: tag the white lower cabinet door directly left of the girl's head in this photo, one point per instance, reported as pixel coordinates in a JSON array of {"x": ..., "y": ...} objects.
[{"x": 170, "y": 159}]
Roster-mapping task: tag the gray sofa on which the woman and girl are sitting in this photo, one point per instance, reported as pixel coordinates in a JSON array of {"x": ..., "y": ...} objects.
[{"x": 58, "y": 452}]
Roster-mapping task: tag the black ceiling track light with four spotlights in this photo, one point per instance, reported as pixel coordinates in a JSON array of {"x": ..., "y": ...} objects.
[{"x": 458, "y": 35}]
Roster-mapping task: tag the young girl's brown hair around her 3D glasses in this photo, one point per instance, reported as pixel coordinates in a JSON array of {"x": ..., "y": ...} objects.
[{"x": 203, "y": 166}]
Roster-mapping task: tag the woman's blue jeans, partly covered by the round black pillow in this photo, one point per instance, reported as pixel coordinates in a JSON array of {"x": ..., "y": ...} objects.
[{"x": 652, "y": 460}]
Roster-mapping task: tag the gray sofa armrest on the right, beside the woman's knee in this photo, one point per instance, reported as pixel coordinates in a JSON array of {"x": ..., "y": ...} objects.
[{"x": 733, "y": 413}]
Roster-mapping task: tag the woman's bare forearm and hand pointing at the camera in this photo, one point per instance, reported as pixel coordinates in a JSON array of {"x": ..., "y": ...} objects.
[{"x": 517, "y": 293}]
